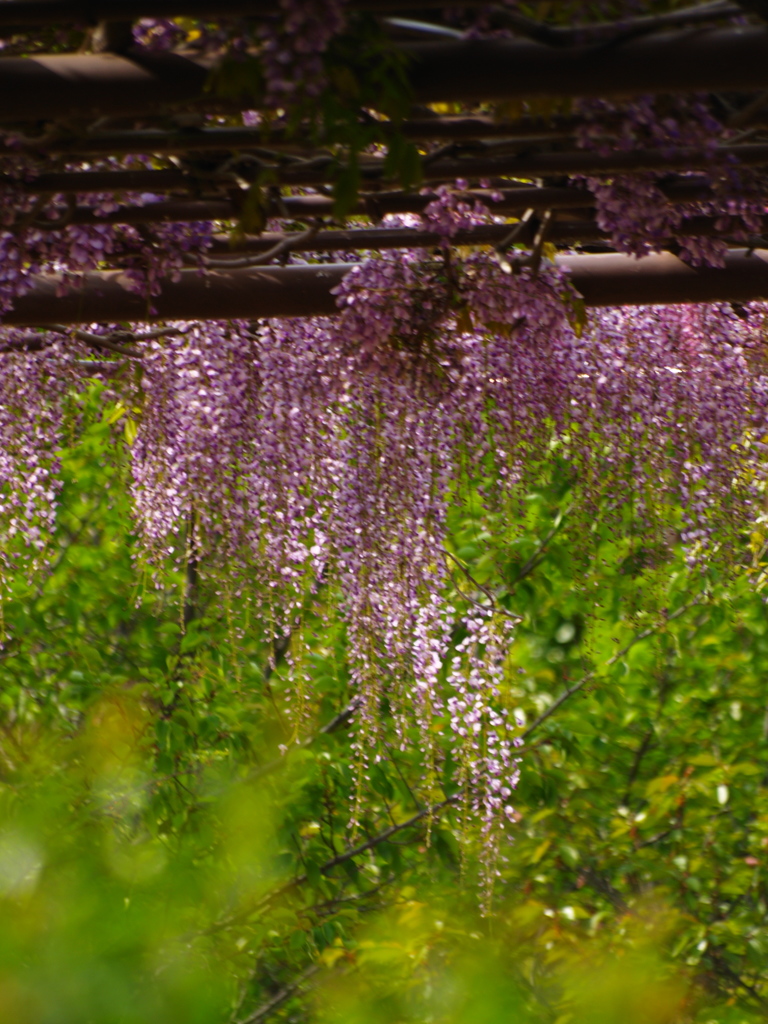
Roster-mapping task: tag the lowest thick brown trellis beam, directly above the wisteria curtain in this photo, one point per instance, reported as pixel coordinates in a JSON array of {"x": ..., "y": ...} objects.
[{"x": 307, "y": 291}]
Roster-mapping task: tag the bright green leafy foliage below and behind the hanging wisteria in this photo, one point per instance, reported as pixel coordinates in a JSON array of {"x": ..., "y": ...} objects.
[{"x": 175, "y": 838}]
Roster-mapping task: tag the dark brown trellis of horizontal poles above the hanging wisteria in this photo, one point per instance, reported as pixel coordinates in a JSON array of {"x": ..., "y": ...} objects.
[{"x": 62, "y": 108}]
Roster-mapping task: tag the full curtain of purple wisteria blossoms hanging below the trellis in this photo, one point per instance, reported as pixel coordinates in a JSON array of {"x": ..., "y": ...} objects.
[{"x": 303, "y": 452}]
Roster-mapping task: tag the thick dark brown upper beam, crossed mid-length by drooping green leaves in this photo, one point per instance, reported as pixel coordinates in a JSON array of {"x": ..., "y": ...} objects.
[{"x": 46, "y": 88}]
